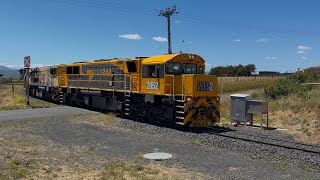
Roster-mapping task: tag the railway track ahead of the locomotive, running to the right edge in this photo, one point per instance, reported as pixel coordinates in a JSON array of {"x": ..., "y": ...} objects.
[{"x": 223, "y": 132}]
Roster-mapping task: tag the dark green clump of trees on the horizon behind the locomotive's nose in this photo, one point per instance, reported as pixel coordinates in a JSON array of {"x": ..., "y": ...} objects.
[{"x": 239, "y": 70}]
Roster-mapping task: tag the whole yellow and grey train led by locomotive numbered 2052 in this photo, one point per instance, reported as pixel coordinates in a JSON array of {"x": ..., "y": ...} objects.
[{"x": 172, "y": 88}]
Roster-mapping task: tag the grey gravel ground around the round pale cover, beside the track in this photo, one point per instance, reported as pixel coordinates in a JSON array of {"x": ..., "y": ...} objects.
[{"x": 125, "y": 141}]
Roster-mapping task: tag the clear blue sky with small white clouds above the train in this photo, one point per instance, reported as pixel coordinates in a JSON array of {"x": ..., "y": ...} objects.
[{"x": 275, "y": 35}]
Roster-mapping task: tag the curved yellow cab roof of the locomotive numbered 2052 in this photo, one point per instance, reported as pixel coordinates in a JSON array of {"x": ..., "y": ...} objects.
[{"x": 162, "y": 59}]
